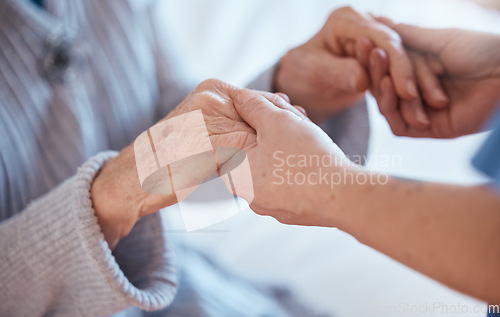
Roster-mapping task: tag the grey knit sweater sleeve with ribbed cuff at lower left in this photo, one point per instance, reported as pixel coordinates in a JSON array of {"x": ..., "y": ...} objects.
[{"x": 55, "y": 261}]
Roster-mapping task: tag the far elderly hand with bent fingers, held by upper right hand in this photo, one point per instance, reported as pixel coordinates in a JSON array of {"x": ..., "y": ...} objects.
[{"x": 321, "y": 76}]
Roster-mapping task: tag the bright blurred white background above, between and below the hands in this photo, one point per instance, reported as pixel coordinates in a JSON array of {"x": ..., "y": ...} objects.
[{"x": 235, "y": 40}]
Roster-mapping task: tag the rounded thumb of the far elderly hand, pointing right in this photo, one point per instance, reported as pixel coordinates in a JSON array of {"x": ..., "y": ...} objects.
[{"x": 341, "y": 73}]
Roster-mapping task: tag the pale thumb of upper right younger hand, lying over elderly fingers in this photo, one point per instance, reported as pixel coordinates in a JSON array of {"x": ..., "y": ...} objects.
[{"x": 423, "y": 39}]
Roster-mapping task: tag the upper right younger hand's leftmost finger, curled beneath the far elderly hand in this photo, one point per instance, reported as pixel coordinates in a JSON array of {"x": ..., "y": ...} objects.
[{"x": 388, "y": 106}]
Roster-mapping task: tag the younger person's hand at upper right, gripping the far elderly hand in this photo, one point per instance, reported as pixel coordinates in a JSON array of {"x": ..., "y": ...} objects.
[{"x": 467, "y": 64}]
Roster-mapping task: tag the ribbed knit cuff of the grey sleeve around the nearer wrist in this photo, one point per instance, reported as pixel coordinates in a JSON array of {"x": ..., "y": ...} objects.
[{"x": 160, "y": 289}]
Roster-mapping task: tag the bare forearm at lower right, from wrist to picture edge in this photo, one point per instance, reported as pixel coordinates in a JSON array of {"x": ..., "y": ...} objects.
[{"x": 450, "y": 233}]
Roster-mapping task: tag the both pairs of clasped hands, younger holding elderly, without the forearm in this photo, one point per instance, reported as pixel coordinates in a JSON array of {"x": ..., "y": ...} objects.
[{"x": 422, "y": 87}]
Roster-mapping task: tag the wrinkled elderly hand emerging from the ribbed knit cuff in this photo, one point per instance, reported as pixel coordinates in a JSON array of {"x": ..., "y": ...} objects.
[{"x": 117, "y": 196}]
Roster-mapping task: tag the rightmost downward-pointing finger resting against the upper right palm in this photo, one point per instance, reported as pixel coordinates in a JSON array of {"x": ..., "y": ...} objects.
[{"x": 428, "y": 82}]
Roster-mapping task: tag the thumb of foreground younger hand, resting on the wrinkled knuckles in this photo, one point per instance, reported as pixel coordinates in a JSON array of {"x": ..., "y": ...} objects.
[{"x": 254, "y": 108}]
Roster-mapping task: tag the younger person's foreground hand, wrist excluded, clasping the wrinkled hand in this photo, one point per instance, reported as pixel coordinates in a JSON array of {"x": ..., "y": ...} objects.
[{"x": 286, "y": 162}]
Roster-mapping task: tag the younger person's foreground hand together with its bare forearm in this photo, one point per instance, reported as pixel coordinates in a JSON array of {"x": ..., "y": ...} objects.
[{"x": 447, "y": 232}]
